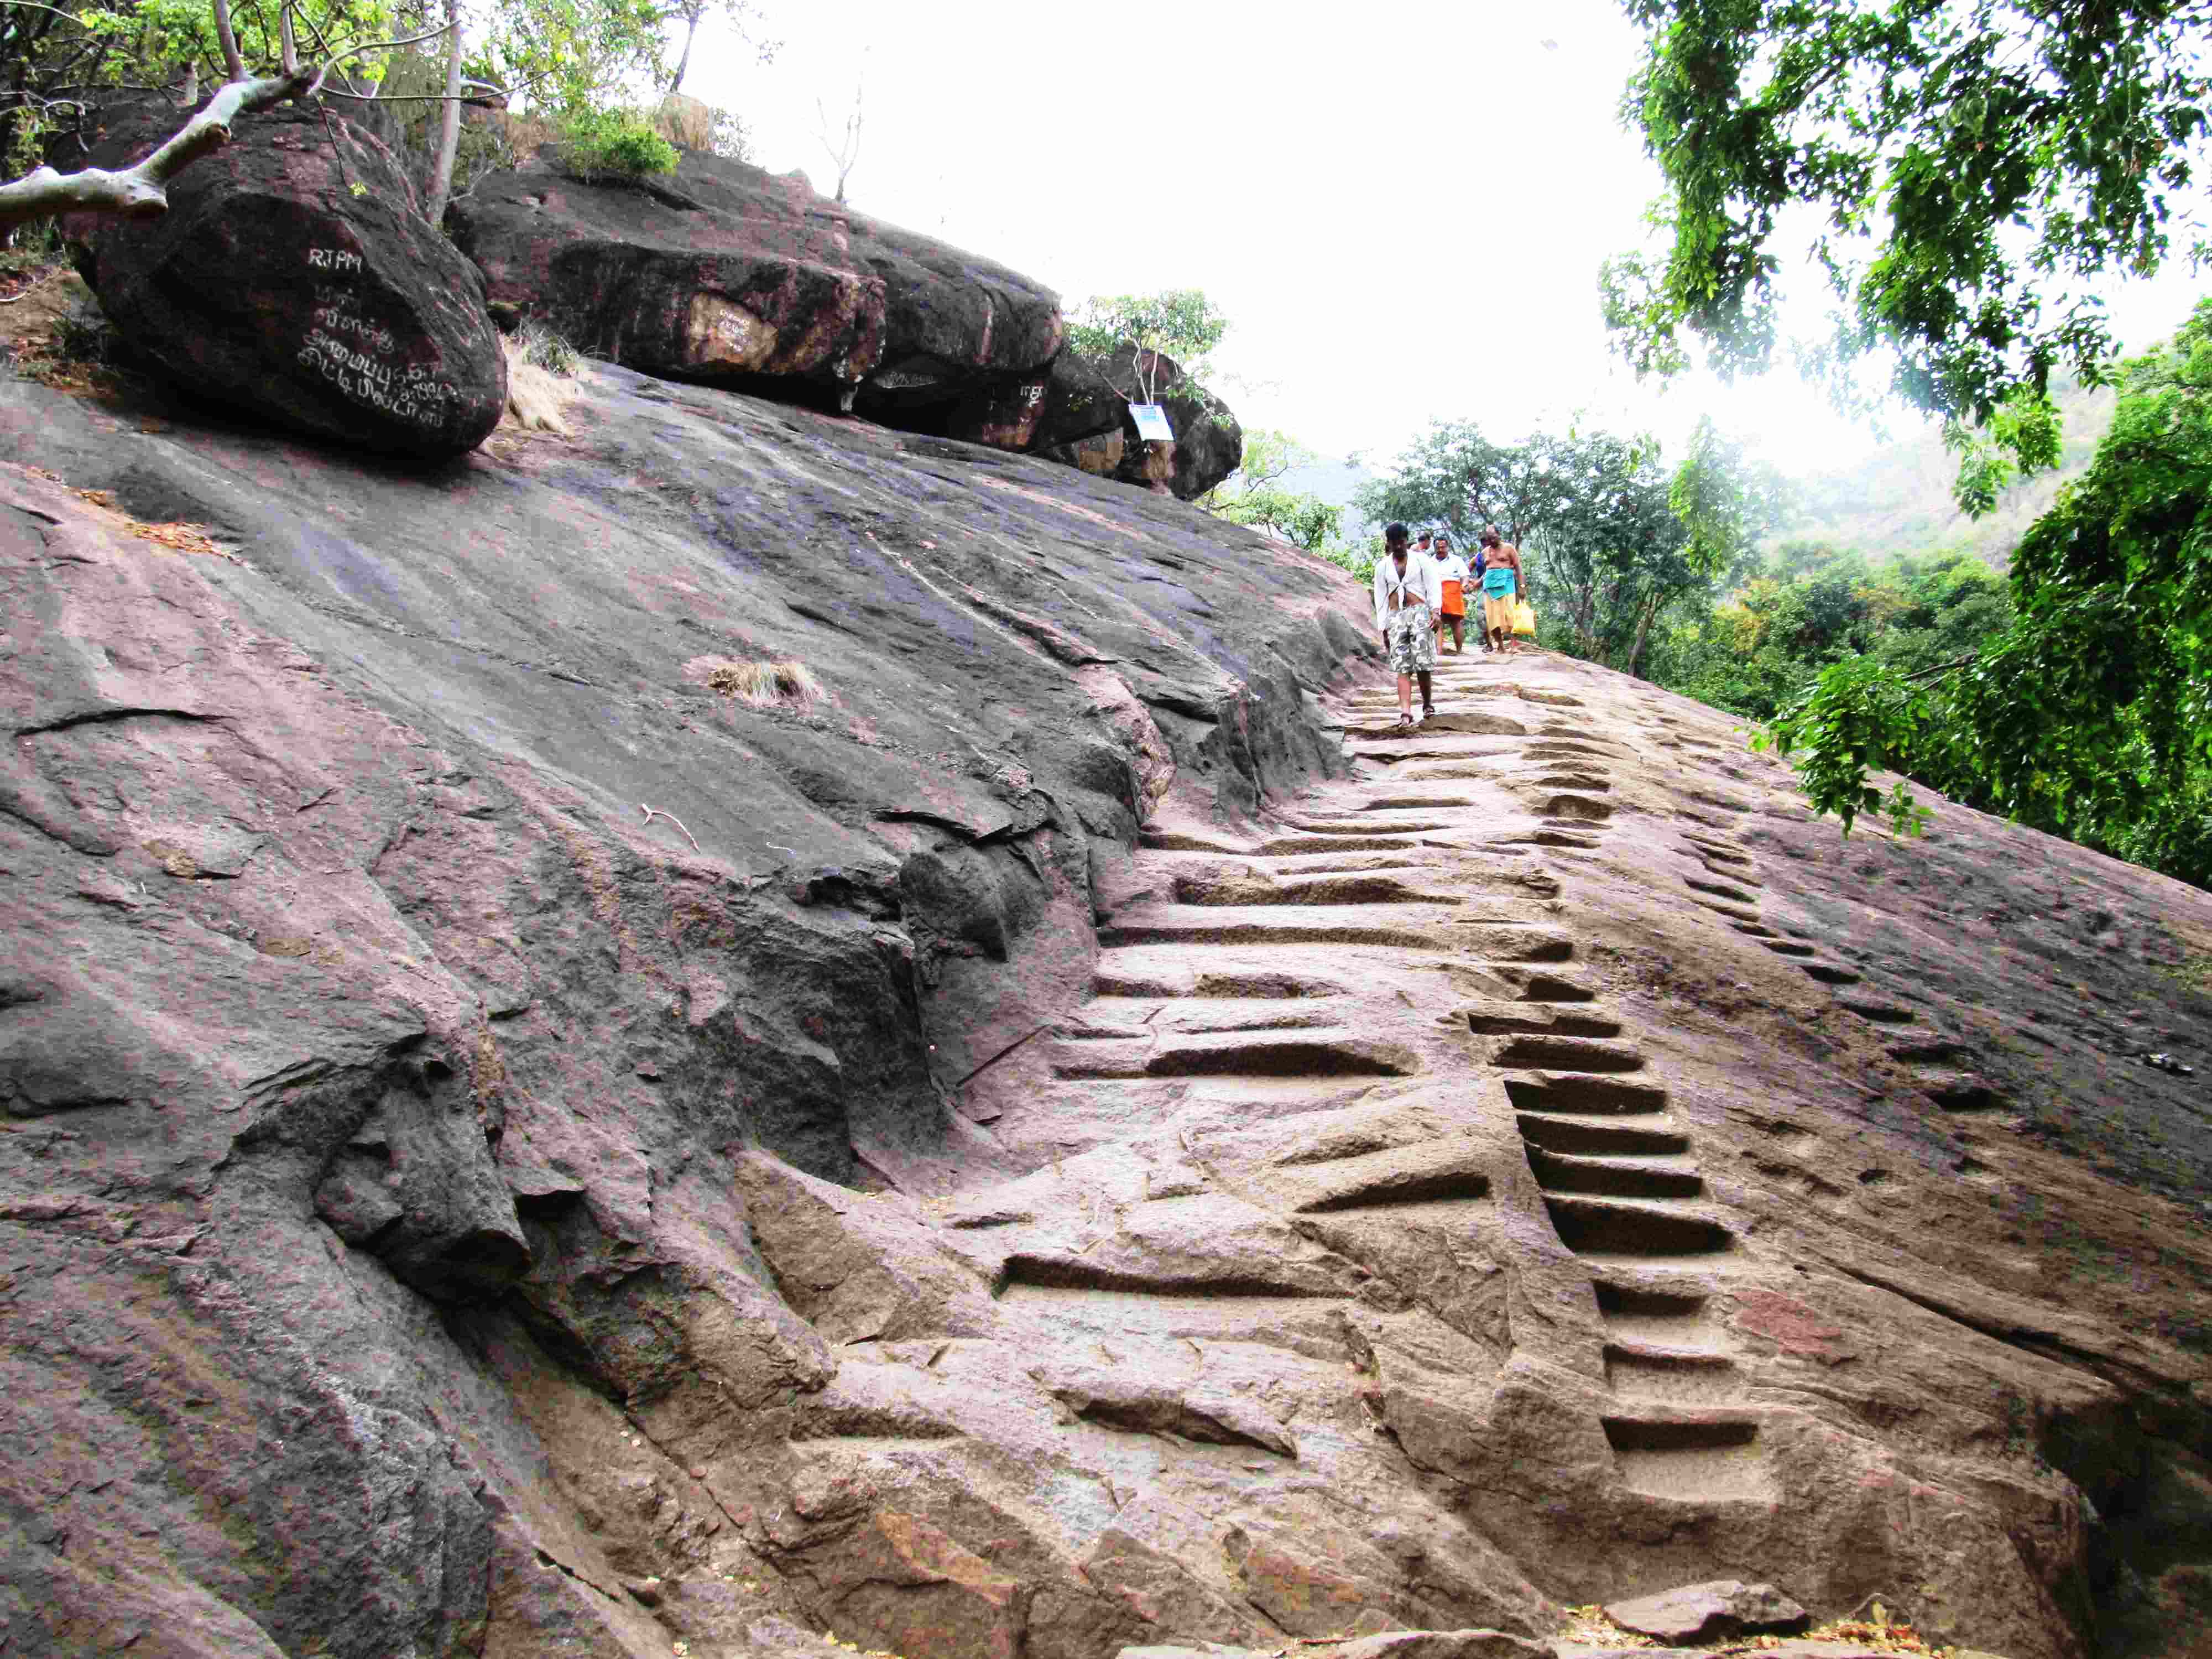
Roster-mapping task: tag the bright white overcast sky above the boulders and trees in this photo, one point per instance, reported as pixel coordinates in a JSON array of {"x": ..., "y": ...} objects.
[{"x": 1399, "y": 207}]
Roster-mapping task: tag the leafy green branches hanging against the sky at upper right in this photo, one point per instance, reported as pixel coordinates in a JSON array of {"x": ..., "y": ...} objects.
[{"x": 1974, "y": 169}]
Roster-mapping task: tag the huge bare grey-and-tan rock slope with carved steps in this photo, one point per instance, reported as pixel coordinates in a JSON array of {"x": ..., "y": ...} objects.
[{"x": 751, "y": 1025}]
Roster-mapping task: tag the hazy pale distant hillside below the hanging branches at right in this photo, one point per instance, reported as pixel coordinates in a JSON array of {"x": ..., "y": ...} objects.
[{"x": 1899, "y": 501}]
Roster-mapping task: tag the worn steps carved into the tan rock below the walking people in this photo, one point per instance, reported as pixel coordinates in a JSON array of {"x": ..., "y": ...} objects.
[{"x": 1255, "y": 968}]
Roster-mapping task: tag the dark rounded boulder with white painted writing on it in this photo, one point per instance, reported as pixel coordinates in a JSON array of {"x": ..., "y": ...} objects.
[{"x": 295, "y": 278}]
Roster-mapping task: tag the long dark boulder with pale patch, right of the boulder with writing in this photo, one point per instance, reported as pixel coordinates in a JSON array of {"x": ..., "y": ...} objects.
[{"x": 740, "y": 278}]
